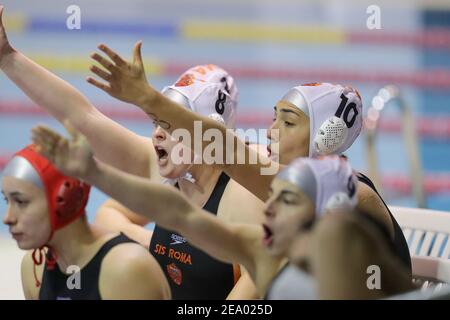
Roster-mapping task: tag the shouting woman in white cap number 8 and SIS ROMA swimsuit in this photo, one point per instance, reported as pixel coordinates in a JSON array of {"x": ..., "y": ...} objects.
[{"x": 207, "y": 186}]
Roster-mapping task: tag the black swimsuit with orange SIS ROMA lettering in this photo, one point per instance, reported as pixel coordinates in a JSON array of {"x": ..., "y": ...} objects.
[{"x": 191, "y": 273}]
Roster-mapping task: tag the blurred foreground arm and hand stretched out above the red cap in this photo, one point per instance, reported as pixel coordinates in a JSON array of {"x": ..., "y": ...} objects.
[{"x": 160, "y": 203}]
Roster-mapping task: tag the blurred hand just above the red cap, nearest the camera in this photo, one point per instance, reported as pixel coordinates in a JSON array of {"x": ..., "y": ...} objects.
[{"x": 73, "y": 158}]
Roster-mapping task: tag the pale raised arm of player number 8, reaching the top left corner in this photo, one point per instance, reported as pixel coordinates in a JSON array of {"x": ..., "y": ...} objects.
[{"x": 111, "y": 142}]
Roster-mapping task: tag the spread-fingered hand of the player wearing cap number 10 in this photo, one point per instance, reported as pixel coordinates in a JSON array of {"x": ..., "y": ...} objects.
[{"x": 125, "y": 81}]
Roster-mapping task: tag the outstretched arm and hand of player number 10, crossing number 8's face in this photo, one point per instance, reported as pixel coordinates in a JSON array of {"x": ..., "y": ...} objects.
[{"x": 126, "y": 81}]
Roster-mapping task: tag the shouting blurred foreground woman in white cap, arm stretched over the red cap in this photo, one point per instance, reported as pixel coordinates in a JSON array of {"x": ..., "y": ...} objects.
[{"x": 300, "y": 194}]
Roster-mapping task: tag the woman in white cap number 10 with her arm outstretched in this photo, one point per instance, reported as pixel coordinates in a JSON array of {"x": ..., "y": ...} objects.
[{"x": 310, "y": 120}]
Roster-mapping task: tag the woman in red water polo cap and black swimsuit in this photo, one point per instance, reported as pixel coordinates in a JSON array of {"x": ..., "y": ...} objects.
[{"x": 70, "y": 259}]
